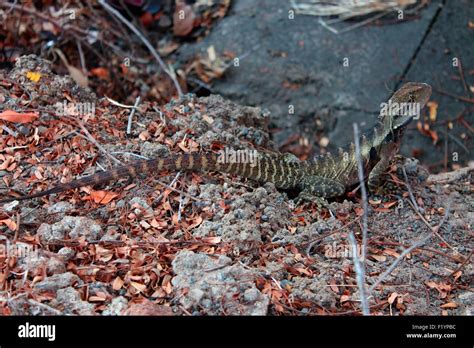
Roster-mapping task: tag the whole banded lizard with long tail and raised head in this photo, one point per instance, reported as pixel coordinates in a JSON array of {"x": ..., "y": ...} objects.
[{"x": 323, "y": 177}]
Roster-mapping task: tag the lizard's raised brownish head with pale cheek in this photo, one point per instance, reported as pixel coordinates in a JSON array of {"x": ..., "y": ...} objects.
[{"x": 405, "y": 104}]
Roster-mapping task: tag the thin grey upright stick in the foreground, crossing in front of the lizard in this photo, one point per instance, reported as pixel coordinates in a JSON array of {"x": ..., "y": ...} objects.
[{"x": 359, "y": 264}]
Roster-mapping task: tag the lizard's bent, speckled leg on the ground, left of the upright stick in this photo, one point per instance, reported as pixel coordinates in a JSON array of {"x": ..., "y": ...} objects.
[{"x": 317, "y": 188}]
